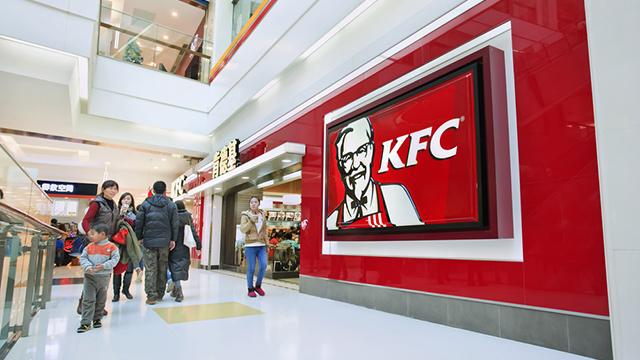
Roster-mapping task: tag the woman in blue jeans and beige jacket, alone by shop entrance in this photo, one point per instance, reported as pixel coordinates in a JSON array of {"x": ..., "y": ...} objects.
[{"x": 255, "y": 229}]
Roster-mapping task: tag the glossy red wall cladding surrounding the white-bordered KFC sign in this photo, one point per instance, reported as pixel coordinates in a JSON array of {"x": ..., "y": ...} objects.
[{"x": 563, "y": 264}]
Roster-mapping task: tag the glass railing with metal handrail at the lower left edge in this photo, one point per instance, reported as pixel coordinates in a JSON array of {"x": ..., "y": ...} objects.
[{"x": 27, "y": 242}]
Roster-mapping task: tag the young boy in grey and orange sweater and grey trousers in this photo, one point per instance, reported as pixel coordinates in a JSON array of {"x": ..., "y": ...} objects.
[{"x": 97, "y": 261}]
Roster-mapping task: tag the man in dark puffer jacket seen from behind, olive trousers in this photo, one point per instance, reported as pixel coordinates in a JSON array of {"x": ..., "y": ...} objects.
[{"x": 157, "y": 228}]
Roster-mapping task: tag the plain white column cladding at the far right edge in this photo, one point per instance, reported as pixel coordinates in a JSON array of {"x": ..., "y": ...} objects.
[{"x": 614, "y": 75}]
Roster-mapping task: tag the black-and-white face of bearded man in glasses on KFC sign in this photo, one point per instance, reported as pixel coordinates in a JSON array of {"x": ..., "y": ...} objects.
[{"x": 354, "y": 154}]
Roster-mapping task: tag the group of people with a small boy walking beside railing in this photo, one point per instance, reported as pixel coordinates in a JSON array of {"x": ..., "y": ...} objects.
[{"x": 154, "y": 239}]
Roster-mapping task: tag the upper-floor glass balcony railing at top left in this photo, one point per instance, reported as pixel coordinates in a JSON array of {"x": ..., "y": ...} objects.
[{"x": 138, "y": 41}]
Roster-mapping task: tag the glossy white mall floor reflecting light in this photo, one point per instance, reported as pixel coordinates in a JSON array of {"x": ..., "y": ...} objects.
[{"x": 285, "y": 325}]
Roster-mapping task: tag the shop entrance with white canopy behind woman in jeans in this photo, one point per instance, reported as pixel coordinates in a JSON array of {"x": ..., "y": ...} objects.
[{"x": 224, "y": 193}]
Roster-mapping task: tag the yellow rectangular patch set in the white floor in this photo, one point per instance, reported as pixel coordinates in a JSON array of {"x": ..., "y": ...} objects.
[{"x": 181, "y": 314}]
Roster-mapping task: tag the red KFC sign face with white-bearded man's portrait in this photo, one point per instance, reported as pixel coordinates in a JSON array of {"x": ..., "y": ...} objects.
[{"x": 415, "y": 161}]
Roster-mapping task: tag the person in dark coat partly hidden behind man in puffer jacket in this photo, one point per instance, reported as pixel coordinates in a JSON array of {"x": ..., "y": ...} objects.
[{"x": 180, "y": 256}]
